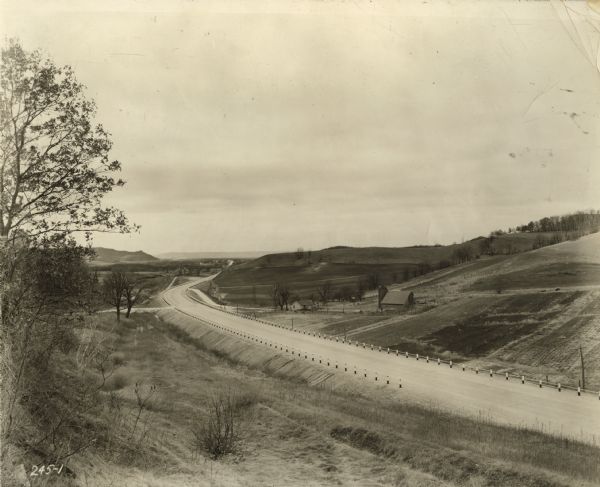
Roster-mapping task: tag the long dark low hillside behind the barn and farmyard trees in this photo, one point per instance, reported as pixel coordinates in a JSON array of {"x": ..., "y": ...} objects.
[{"x": 344, "y": 267}]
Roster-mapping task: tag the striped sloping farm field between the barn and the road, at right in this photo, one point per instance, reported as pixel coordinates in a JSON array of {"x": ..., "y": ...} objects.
[{"x": 528, "y": 327}]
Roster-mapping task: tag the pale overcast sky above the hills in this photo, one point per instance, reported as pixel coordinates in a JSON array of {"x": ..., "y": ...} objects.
[{"x": 269, "y": 126}]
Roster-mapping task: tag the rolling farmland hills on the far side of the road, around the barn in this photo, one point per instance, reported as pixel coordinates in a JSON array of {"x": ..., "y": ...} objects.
[{"x": 519, "y": 308}]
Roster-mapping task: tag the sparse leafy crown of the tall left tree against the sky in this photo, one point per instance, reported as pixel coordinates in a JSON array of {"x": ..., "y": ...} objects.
[{"x": 54, "y": 162}]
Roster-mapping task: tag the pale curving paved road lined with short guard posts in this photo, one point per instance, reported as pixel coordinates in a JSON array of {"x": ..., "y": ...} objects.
[{"x": 452, "y": 389}]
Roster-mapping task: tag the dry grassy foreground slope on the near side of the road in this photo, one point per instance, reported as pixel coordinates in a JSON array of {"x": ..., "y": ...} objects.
[{"x": 295, "y": 434}]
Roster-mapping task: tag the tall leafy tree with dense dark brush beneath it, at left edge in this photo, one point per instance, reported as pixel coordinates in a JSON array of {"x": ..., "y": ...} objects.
[{"x": 54, "y": 172}]
